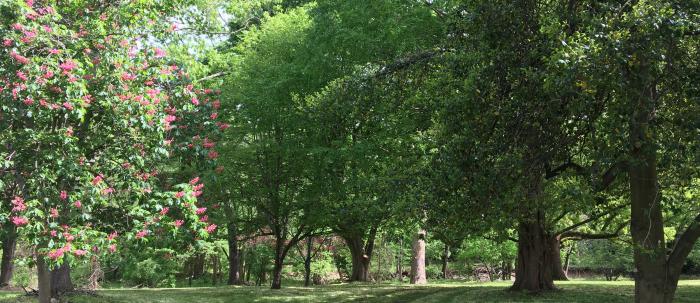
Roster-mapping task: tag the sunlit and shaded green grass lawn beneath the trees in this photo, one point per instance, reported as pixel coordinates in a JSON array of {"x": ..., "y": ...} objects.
[{"x": 570, "y": 292}]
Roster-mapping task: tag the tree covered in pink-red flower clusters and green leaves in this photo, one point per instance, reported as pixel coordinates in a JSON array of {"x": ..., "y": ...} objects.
[{"x": 89, "y": 114}]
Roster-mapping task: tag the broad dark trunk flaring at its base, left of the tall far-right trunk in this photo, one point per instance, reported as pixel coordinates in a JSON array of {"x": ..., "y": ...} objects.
[{"x": 533, "y": 270}]
